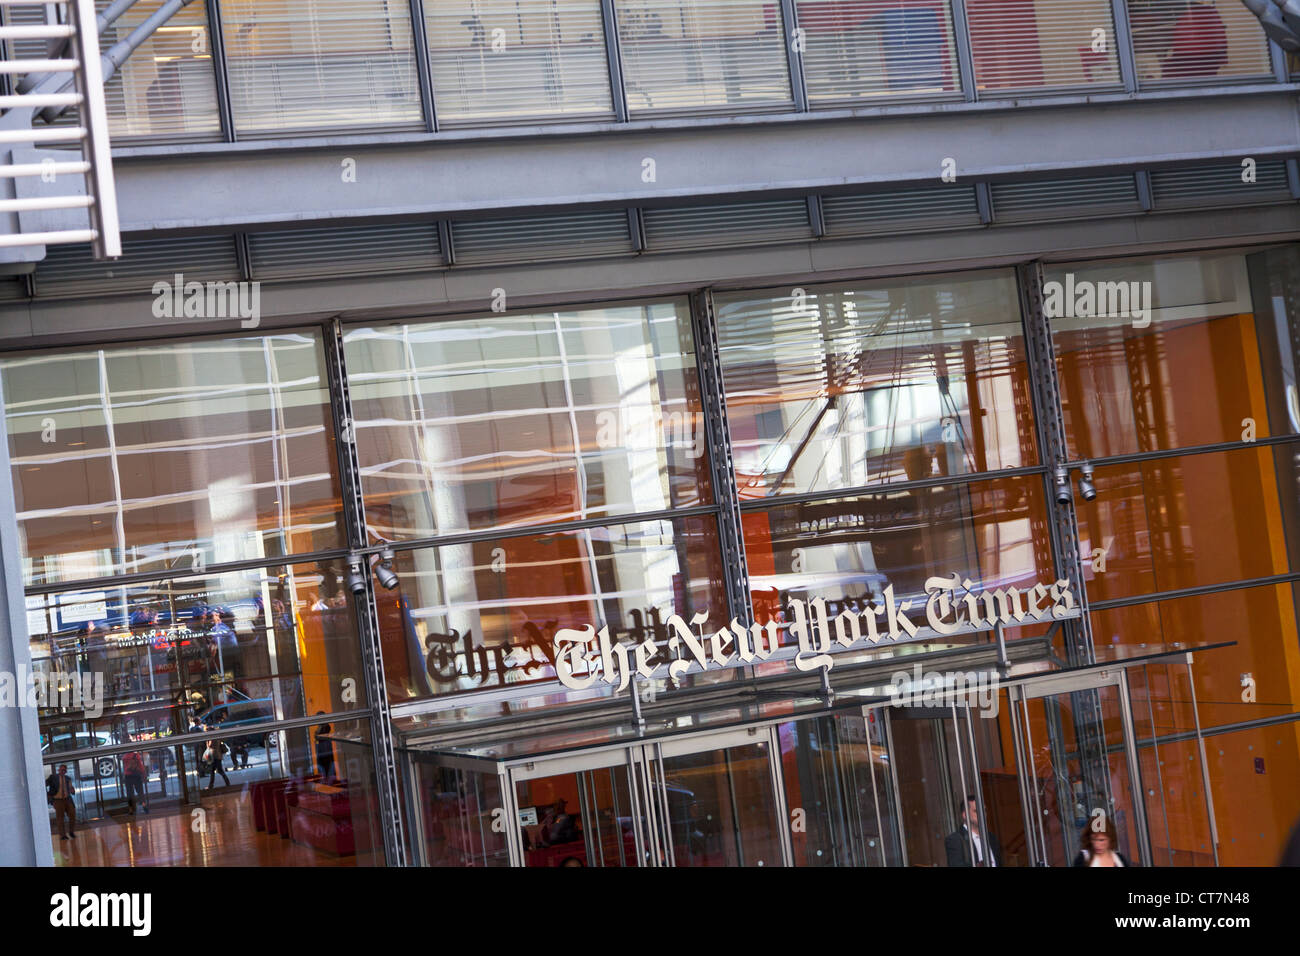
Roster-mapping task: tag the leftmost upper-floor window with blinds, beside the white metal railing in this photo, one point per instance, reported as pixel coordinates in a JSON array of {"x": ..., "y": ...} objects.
[{"x": 167, "y": 86}]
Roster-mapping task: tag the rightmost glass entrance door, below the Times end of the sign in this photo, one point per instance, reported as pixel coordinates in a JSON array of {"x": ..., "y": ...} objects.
[{"x": 1080, "y": 769}]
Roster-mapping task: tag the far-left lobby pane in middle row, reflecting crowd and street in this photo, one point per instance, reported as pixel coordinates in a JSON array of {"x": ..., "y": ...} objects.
[{"x": 240, "y": 648}]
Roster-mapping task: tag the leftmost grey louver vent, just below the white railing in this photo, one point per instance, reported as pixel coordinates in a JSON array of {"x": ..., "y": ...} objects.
[{"x": 70, "y": 271}]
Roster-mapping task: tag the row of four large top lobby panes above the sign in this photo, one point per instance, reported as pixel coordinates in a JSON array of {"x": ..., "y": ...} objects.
[{"x": 168, "y": 457}]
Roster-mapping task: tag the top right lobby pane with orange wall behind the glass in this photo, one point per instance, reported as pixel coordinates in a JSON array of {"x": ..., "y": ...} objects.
[{"x": 1188, "y": 374}]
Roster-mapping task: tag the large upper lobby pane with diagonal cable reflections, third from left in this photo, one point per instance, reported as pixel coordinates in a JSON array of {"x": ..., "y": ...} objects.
[{"x": 842, "y": 387}]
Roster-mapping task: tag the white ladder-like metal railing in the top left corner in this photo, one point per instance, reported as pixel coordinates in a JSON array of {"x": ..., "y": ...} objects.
[{"x": 50, "y": 197}]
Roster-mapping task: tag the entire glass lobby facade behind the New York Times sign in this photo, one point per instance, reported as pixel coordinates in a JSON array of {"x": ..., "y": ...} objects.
[{"x": 708, "y": 498}]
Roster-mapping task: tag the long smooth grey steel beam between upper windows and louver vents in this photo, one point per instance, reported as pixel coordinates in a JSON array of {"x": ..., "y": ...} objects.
[{"x": 231, "y": 187}]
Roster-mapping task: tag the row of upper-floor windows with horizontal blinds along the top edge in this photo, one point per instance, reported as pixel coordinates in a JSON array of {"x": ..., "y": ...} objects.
[{"x": 352, "y": 64}]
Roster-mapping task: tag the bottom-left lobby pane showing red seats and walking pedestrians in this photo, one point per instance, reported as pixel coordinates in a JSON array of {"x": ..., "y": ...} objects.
[{"x": 281, "y": 810}]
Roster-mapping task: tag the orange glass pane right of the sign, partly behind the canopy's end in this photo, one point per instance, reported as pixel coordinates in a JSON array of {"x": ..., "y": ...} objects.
[{"x": 1256, "y": 678}]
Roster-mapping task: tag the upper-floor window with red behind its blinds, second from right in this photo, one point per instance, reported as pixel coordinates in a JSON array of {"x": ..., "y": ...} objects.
[{"x": 1042, "y": 45}]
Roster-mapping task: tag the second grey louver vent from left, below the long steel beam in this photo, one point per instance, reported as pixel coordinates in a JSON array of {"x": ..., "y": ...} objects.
[{"x": 349, "y": 250}]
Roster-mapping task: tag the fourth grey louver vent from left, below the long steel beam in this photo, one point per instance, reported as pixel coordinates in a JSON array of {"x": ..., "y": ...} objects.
[{"x": 735, "y": 224}]
